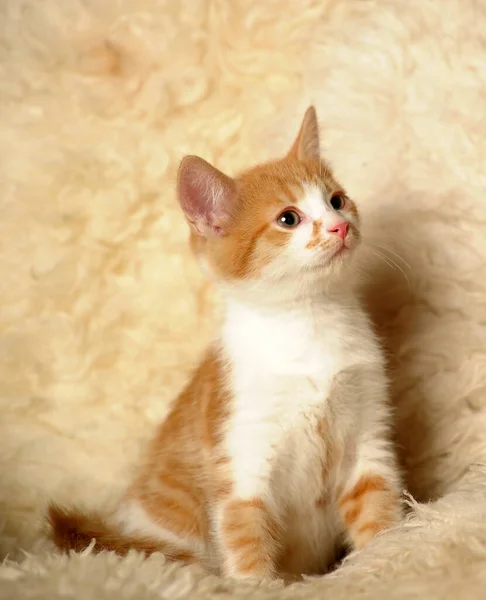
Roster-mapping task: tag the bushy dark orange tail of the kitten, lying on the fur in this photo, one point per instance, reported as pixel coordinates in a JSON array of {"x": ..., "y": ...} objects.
[{"x": 74, "y": 530}]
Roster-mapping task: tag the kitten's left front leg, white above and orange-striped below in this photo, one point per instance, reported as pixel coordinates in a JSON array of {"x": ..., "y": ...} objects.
[{"x": 248, "y": 528}]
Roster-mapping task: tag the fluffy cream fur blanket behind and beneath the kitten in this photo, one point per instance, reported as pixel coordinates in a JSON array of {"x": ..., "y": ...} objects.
[{"x": 103, "y": 312}]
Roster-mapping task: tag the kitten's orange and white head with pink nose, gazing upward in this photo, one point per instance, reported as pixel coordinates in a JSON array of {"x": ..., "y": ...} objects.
[{"x": 287, "y": 220}]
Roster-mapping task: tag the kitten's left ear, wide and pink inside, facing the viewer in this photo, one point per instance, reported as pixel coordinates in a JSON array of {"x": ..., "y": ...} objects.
[{"x": 206, "y": 195}]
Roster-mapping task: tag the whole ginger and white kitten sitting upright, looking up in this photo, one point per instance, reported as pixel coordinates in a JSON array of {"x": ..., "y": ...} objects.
[{"x": 278, "y": 449}]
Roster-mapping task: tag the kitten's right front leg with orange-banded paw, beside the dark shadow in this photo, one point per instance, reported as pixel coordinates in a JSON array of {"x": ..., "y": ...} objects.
[{"x": 369, "y": 501}]
